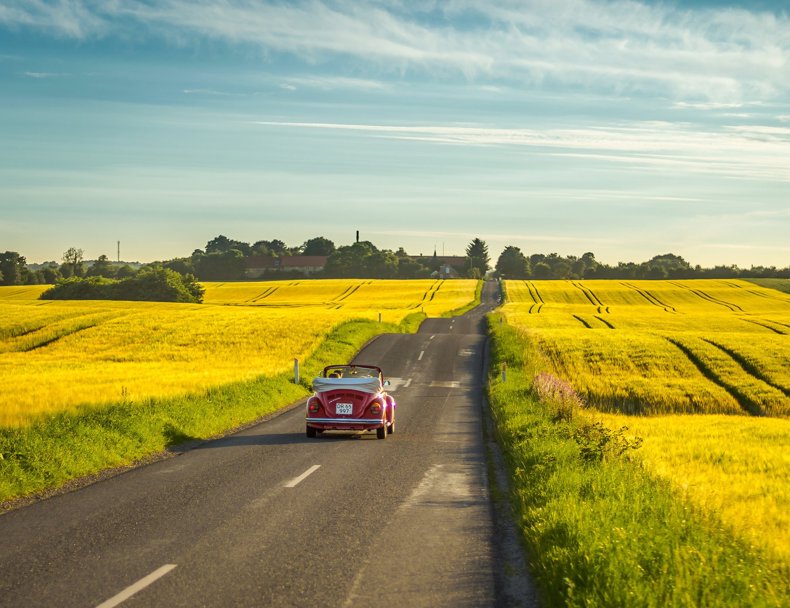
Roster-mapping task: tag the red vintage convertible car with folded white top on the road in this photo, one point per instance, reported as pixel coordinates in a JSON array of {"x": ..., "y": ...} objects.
[{"x": 351, "y": 398}]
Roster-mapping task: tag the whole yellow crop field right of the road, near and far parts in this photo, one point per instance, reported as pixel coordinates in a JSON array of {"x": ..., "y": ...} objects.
[{"x": 672, "y": 347}]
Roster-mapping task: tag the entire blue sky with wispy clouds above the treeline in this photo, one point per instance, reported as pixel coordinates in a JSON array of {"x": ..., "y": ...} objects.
[{"x": 624, "y": 128}]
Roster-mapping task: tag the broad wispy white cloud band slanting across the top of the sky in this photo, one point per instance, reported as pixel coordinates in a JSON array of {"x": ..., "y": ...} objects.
[{"x": 718, "y": 57}]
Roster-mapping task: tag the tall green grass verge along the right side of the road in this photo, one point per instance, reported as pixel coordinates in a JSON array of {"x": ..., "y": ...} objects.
[{"x": 600, "y": 530}]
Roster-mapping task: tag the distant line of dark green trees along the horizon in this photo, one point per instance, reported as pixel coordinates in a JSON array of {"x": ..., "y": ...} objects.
[{"x": 225, "y": 259}]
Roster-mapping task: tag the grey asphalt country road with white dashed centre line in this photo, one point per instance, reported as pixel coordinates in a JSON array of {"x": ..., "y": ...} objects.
[{"x": 268, "y": 517}]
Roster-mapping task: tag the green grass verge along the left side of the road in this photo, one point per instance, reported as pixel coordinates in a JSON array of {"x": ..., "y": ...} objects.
[{"x": 57, "y": 449}]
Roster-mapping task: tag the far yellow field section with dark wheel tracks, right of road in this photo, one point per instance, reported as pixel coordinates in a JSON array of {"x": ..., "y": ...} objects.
[{"x": 662, "y": 346}]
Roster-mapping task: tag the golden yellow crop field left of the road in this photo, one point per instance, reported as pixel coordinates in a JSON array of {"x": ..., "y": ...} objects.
[{"x": 57, "y": 355}]
